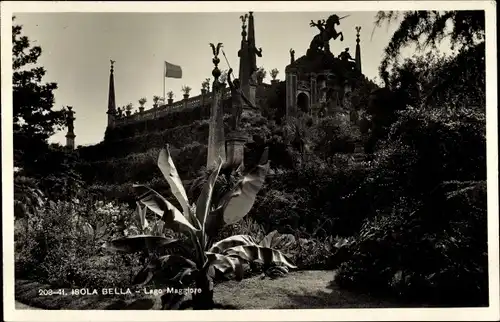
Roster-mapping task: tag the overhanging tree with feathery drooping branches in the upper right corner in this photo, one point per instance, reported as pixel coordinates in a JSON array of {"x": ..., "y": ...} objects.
[{"x": 430, "y": 80}]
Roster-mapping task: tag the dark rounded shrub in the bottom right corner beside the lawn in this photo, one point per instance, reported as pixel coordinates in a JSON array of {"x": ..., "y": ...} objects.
[{"x": 437, "y": 252}]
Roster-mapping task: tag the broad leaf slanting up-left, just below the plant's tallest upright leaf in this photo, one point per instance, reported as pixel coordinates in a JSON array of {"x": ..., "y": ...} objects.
[{"x": 171, "y": 216}]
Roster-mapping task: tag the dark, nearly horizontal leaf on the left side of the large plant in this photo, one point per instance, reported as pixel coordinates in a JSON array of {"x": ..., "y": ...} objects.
[{"x": 132, "y": 244}]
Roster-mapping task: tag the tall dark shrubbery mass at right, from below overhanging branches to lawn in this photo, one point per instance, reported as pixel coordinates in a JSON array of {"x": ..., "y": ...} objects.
[{"x": 426, "y": 230}]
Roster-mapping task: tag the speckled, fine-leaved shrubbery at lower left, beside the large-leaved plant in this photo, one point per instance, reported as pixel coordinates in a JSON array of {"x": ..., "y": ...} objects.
[{"x": 60, "y": 242}]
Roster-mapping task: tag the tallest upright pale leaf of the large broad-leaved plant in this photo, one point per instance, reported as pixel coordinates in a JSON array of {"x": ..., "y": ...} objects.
[{"x": 167, "y": 168}]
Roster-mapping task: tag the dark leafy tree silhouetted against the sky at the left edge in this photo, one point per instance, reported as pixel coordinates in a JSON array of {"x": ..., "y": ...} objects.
[{"x": 34, "y": 119}]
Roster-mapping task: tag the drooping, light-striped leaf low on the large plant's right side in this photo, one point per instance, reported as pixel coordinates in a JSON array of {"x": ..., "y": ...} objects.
[{"x": 261, "y": 254}]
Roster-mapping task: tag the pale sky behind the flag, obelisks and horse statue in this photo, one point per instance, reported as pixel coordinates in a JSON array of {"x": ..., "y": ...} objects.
[{"x": 77, "y": 48}]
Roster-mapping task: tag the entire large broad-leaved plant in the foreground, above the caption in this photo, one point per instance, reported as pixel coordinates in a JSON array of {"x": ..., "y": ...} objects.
[{"x": 201, "y": 222}]
